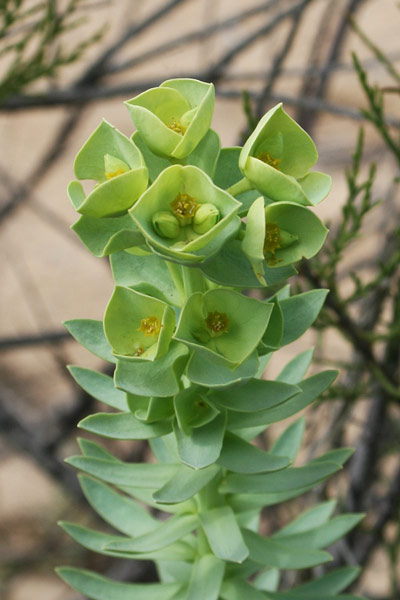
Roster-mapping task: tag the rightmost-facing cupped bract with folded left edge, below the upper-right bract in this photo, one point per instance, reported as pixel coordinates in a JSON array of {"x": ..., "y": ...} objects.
[{"x": 280, "y": 234}]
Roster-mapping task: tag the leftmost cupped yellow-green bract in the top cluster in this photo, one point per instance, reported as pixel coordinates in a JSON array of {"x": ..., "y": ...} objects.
[{"x": 115, "y": 163}]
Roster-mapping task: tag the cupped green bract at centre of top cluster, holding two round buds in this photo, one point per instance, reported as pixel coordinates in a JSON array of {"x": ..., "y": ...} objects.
[{"x": 181, "y": 192}]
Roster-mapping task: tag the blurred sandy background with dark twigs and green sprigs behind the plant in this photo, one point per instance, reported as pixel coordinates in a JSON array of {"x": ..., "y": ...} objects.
[{"x": 66, "y": 64}]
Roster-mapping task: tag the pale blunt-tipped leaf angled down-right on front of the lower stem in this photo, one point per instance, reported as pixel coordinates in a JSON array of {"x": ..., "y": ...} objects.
[{"x": 223, "y": 534}]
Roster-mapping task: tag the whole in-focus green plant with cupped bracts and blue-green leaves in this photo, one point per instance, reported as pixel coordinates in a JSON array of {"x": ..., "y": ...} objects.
[{"x": 190, "y": 348}]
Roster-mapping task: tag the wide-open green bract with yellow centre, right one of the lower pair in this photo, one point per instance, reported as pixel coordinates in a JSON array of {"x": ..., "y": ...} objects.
[{"x": 223, "y": 323}]
